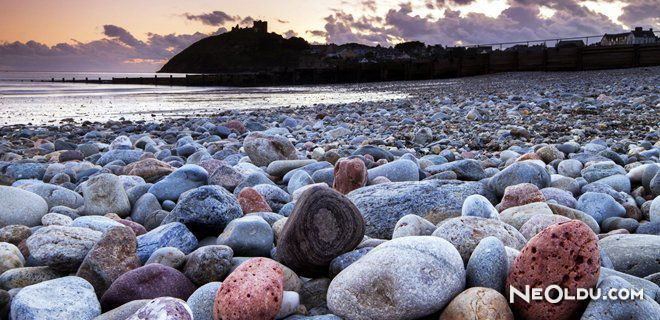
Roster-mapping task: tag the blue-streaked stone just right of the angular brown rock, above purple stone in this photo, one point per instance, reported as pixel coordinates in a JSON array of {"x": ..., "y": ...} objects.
[{"x": 173, "y": 234}]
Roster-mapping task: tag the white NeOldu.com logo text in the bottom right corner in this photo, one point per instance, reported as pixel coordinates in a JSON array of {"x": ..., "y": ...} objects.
[{"x": 555, "y": 294}]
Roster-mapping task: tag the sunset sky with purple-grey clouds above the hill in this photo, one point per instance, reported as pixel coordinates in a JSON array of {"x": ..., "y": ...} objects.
[{"x": 140, "y": 35}]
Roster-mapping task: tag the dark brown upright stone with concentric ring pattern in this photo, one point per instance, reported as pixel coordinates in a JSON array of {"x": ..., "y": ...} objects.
[{"x": 323, "y": 225}]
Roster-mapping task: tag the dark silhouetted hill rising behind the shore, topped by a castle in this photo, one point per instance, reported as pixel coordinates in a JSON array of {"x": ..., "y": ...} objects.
[{"x": 240, "y": 50}]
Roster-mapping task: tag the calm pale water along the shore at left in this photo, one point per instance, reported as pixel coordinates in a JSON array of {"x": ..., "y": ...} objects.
[{"x": 22, "y": 101}]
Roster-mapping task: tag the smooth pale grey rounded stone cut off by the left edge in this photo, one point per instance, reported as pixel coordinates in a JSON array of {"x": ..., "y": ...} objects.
[{"x": 20, "y": 207}]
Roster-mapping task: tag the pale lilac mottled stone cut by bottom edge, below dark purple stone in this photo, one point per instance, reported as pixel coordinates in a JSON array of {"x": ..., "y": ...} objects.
[{"x": 164, "y": 308}]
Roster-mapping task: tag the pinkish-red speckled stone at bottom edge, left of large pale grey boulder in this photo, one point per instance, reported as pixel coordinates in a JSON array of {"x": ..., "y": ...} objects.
[{"x": 253, "y": 291}]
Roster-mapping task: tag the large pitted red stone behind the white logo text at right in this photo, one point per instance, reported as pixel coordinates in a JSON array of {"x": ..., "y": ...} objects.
[{"x": 565, "y": 254}]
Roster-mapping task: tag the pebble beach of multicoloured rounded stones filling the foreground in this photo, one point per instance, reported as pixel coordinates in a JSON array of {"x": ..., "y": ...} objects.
[{"x": 432, "y": 206}]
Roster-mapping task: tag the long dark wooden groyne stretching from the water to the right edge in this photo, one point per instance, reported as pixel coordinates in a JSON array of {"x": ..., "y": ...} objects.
[{"x": 456, "y": 63}]
